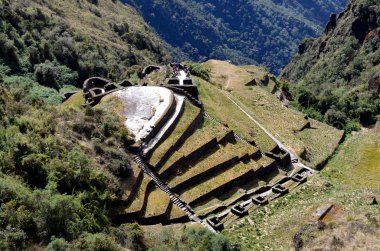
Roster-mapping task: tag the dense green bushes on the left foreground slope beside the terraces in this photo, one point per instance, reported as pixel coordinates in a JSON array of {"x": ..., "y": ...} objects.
[{"x": 58, "y": 173}]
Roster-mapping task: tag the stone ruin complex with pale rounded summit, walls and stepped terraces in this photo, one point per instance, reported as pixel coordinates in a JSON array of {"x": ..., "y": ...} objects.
[{"x": 189, "y": 166}]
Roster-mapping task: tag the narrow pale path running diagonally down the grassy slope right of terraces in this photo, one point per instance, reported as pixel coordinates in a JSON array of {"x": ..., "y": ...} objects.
[{"x": 295, "y": 159}]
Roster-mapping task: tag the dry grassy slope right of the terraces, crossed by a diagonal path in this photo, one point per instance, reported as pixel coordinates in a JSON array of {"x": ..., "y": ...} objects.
[{"x": 284, "y": 123}]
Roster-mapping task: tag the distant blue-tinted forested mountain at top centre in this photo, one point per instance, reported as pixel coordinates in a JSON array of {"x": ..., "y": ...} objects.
[{"x": 245, "y": 32}]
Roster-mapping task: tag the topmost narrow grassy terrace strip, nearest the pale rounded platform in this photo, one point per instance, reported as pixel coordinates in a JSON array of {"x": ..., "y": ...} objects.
[{"x": 188, "y": 116}]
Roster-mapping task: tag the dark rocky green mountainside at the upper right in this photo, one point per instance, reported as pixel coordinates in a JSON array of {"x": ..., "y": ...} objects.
[{"x": 335, "y": 78}]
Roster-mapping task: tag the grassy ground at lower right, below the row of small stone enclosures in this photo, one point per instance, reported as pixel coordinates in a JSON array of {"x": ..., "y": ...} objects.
[{"x": 272, "y": 227}]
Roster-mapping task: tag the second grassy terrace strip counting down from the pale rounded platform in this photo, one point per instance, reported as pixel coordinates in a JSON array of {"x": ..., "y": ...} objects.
[{"x": 209, "y": 130}]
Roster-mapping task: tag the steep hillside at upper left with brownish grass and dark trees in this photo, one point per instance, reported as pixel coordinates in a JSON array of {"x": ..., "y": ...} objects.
[{"x": 61, "y": 43}]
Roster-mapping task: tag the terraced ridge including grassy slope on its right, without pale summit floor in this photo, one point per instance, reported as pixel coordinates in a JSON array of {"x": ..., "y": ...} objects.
[{"x": 213, "y": 163}]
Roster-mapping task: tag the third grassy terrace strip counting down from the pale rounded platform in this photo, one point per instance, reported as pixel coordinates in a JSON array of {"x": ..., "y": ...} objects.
[{"x": 231, "y": 151}]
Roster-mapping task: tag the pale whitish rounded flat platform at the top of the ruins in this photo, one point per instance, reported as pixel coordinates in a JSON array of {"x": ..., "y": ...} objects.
[{"x": 145, "y": 108}]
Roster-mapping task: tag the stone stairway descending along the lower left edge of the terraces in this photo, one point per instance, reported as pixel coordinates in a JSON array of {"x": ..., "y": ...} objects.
[{"x": 174, "y": 198}]
